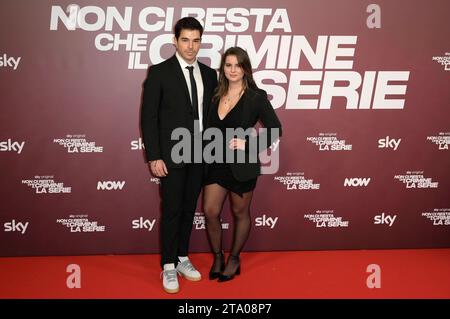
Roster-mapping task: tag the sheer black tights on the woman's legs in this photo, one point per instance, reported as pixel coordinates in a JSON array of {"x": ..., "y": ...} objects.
[{"x": 213, "y": 198}]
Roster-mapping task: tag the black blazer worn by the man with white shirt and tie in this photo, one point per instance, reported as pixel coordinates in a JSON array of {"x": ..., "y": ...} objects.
[{"x": 166, "y": 105}]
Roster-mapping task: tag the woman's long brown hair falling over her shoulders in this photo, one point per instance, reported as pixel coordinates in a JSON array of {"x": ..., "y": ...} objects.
[{"x": 246, "y": 66}]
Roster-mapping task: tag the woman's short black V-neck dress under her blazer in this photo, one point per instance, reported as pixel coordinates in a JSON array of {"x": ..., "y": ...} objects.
[{"x": 220, "y": 173}]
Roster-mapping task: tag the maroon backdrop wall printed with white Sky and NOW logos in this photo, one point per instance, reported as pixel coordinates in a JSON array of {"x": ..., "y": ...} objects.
[{"x": 361, "y": 88}]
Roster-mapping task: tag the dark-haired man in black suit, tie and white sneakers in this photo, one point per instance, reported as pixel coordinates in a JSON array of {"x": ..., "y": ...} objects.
[{"x": 177, "y": 94}]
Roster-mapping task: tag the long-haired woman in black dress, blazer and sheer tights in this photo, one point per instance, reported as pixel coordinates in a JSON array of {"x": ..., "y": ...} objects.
[{"x": 237, "y": 104}]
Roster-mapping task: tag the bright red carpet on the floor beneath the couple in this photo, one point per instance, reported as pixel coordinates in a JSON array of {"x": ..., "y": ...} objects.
[{"x": 412, "y": 273}]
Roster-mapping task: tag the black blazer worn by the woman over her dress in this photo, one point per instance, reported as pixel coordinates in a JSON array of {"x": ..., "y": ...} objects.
[{"x": 256, "y": 108}]
